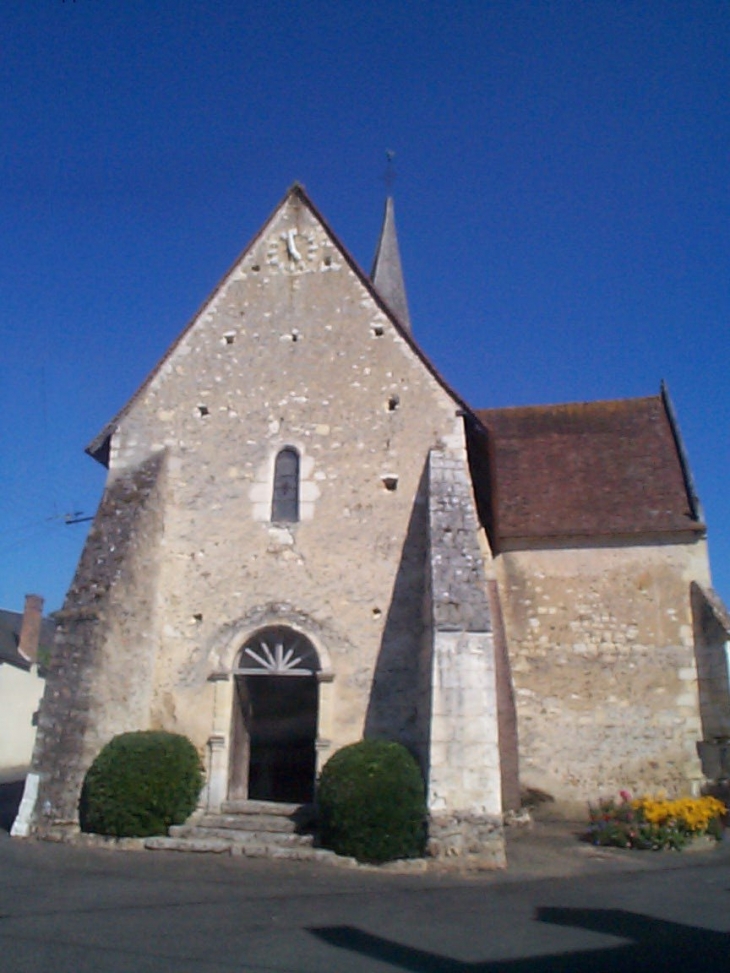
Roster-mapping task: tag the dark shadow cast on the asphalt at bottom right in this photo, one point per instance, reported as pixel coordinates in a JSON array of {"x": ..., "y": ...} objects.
[{"x": 655, "y": 946}]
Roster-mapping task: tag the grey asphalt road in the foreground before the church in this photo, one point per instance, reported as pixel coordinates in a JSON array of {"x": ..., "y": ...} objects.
[{"x": 72, "y": 910}]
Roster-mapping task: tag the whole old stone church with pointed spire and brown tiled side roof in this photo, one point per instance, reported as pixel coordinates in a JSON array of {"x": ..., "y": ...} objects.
[{"x": 307, "y": 537}]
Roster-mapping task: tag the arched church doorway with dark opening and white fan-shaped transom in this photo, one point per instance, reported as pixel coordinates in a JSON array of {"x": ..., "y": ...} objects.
[{"x": 274, "y": 723}]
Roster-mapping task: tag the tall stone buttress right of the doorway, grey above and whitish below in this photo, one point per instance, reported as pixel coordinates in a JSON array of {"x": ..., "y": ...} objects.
[{"x": 463, "y": 778}]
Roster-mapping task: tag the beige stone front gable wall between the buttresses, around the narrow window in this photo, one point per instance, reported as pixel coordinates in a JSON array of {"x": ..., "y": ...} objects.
[{"x": 293, "y": 354}]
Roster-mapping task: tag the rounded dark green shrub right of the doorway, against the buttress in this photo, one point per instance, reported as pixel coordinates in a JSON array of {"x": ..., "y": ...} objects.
[{"x": 371, "y": 803}]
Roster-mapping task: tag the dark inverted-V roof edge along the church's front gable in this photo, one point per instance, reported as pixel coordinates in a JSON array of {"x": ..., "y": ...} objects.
[{"x": 98, "y": 448}]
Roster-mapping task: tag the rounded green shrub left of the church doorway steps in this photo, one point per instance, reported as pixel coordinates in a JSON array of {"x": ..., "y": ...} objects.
[{"x": 140, "y": 784}]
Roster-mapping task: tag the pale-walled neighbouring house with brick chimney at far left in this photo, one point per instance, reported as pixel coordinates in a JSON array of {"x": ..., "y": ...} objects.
[{"x": 24, "y": 637}]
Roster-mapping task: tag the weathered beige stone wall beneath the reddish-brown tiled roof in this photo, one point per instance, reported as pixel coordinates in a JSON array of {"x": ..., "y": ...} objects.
[{"x": 602, "y": 656}]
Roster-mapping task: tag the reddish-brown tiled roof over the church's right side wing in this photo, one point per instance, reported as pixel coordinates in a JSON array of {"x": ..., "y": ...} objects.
[{"x": 584, "y": 469}]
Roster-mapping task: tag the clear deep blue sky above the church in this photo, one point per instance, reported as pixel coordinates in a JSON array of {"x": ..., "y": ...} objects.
[{"x": 562, "y": 195}]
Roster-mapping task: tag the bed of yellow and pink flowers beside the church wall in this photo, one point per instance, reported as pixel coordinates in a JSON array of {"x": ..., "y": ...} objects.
[{"x": 655, "y": 823}]
